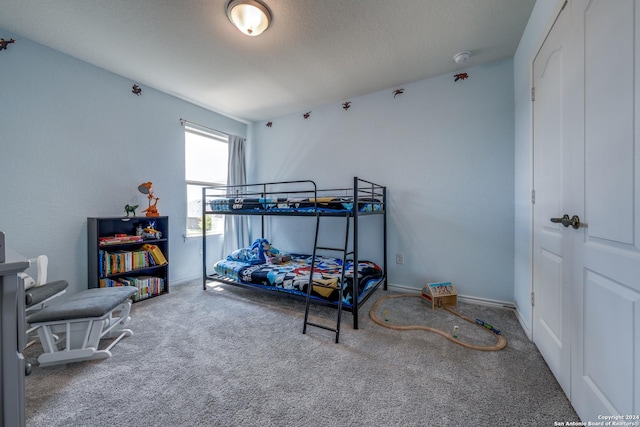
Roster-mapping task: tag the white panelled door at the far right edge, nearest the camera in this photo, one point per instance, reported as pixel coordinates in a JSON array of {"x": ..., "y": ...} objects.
[{"x": 605, "y": 193}]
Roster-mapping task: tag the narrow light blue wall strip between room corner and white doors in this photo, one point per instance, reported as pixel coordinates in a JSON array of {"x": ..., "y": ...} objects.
[{"x": 539, "y": 24}]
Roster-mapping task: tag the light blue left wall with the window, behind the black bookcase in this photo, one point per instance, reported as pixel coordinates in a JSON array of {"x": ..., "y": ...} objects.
[{"x": 76, "y": 142}]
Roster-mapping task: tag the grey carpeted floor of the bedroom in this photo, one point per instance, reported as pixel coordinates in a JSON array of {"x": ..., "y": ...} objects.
[{"x": 233, "y": 357}]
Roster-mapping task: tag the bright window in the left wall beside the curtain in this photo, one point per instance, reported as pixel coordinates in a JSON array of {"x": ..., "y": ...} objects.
[{"x": 206, "y": 158}]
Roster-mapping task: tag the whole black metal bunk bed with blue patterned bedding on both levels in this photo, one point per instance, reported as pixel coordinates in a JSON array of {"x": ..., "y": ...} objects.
[{"x": 294, "y": 277}]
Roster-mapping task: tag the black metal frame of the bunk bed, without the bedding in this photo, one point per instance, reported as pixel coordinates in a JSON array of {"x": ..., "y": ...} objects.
[{"x": 362, "y": 191}]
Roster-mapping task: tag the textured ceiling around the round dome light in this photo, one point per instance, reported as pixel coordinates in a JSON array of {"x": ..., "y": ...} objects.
[{"x": 316, "y": 51}]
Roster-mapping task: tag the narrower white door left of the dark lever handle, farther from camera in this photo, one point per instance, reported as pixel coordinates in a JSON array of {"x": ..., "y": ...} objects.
[{"x": 551, "y": 332}]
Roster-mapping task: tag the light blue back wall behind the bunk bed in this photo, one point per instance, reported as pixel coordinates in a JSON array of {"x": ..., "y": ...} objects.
[{"x": 445, "y": 151}]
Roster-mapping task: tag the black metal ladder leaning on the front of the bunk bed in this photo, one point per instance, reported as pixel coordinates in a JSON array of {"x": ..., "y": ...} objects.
[{"x": 340, "y": 284}]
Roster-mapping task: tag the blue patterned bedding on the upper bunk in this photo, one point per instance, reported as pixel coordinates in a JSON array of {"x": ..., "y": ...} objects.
[{"x": 287, "y": 204}]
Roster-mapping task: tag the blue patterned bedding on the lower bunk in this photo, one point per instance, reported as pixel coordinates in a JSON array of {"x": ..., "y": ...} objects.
[{"x": 293, "y": 276}]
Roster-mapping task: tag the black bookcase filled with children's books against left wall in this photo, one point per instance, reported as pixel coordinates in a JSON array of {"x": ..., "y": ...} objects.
[{"x": 116, "y": 258}]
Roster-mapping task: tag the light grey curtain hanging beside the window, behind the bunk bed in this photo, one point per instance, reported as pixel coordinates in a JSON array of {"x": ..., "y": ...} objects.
[{"x": 236, "y": 227}]
